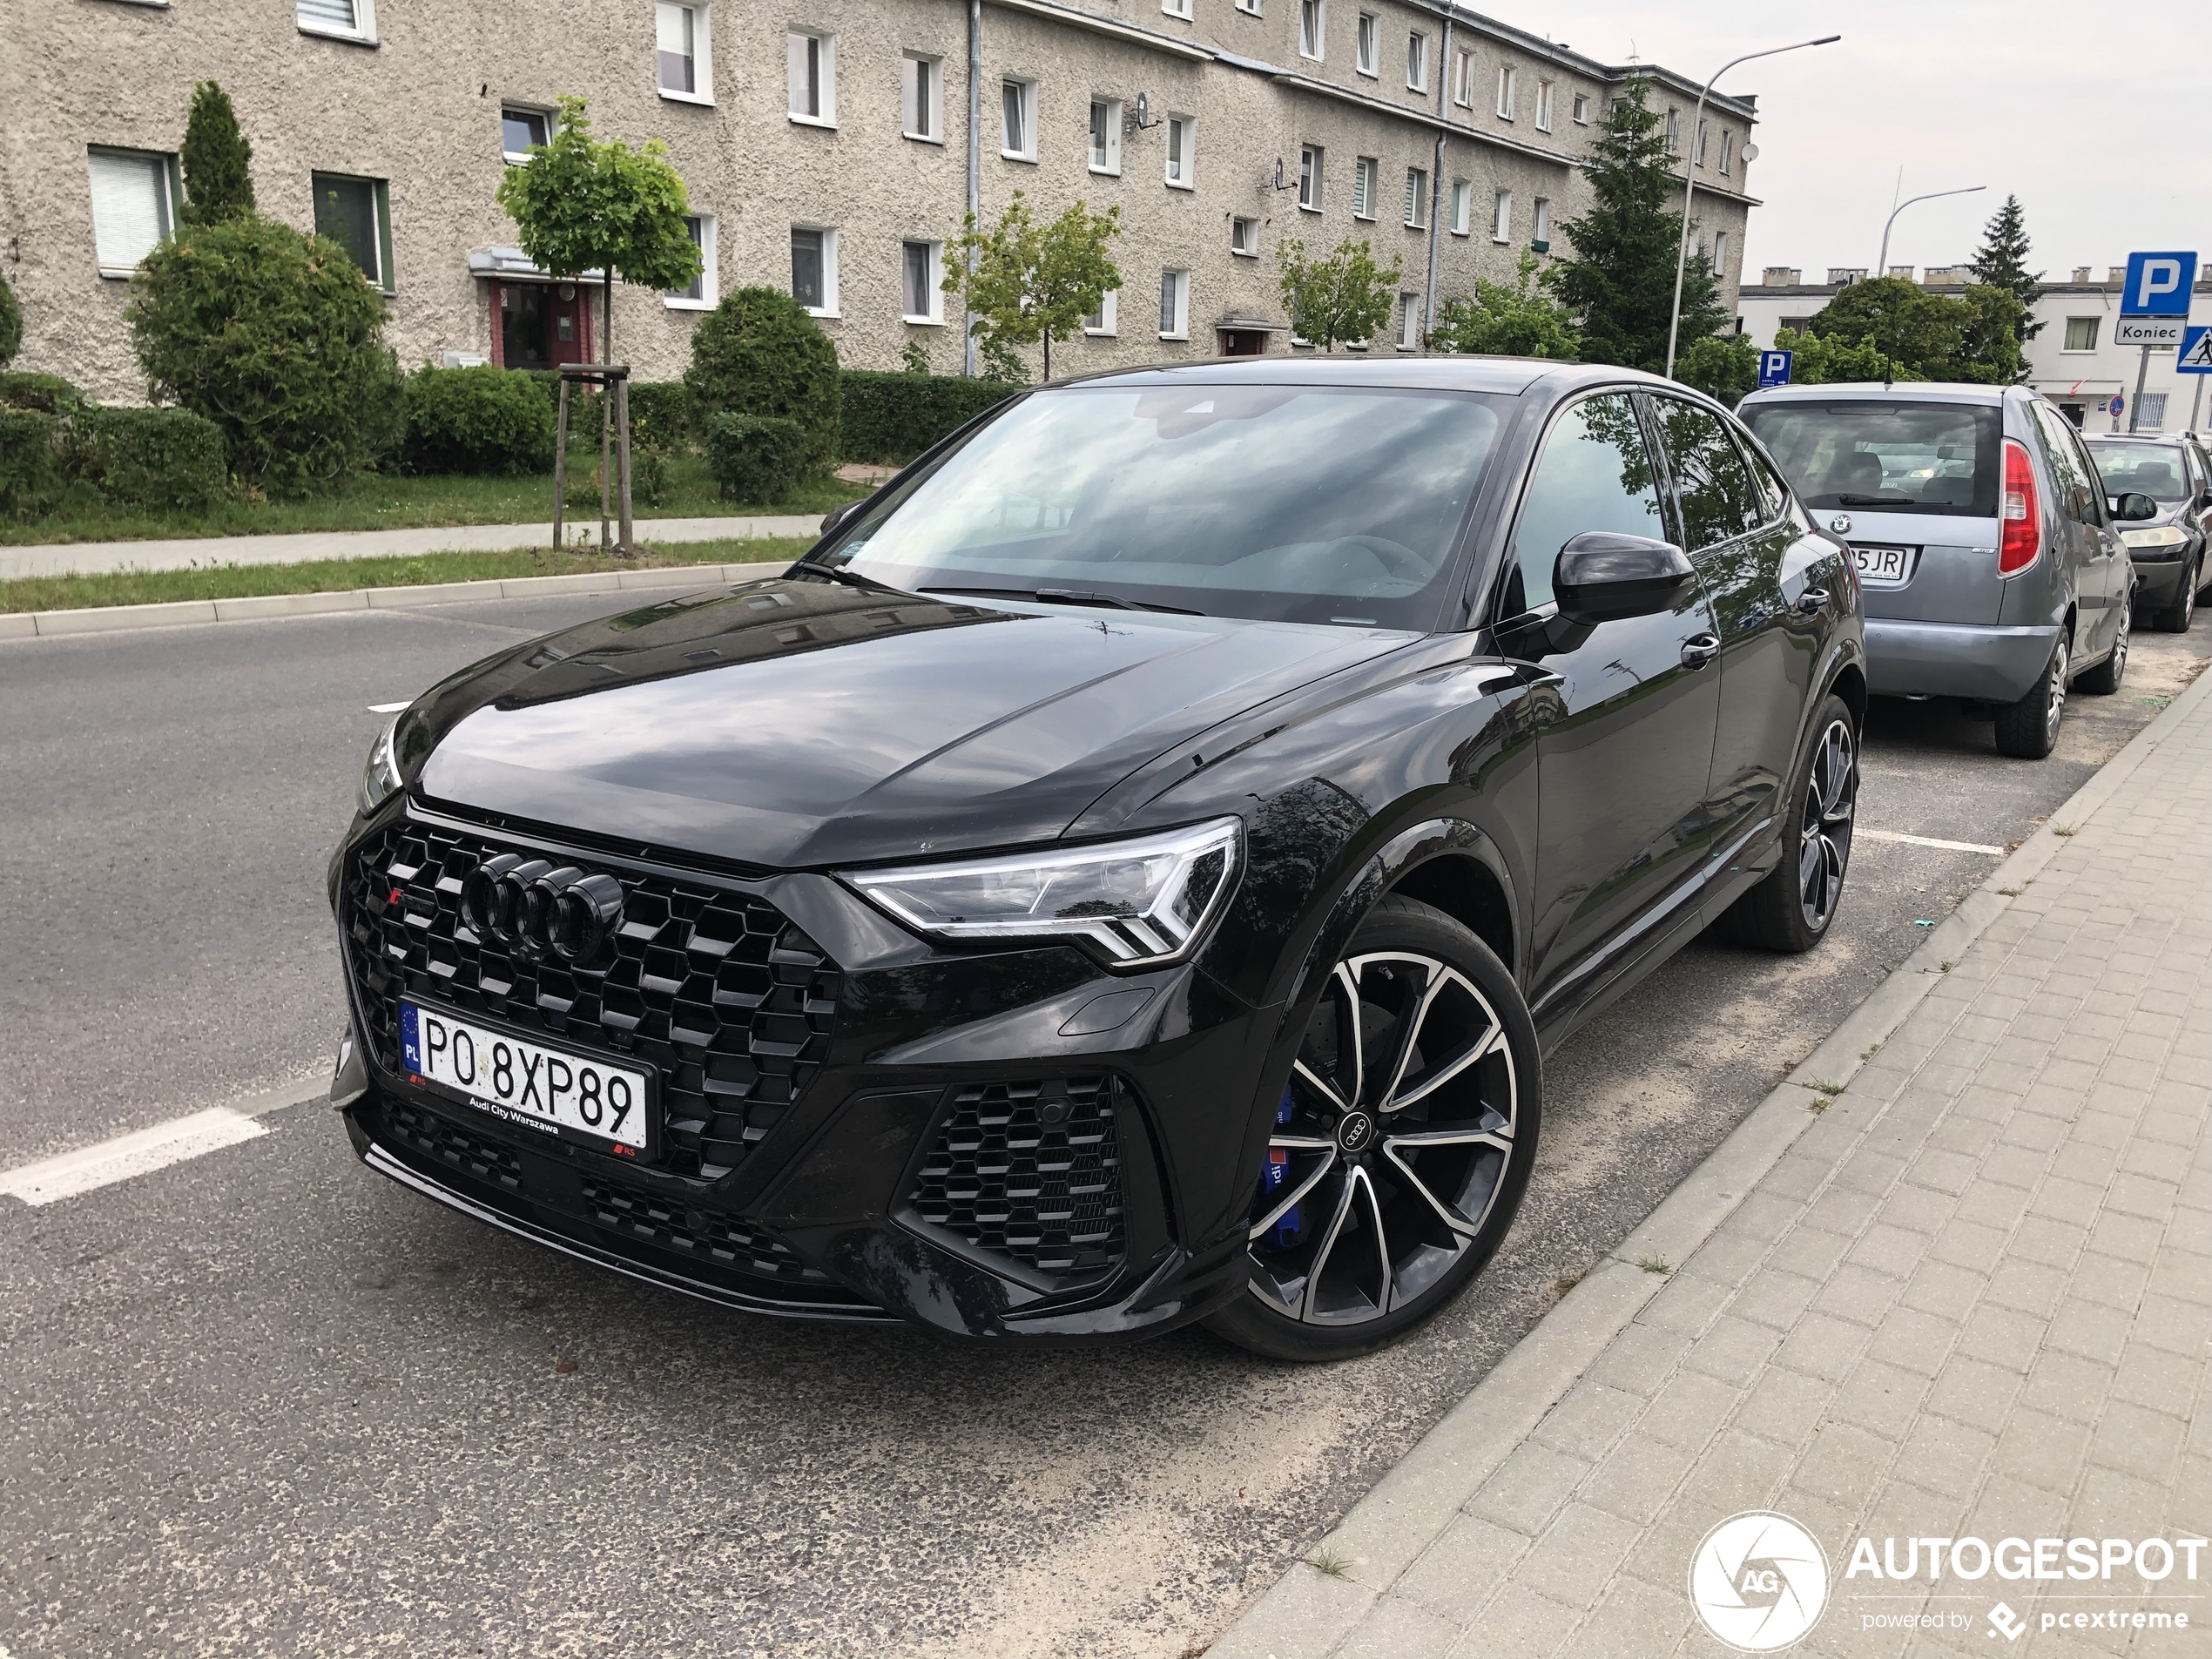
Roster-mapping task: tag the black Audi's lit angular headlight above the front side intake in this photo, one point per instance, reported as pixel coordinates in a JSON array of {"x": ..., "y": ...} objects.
[{"x": 1136, "y": 904}]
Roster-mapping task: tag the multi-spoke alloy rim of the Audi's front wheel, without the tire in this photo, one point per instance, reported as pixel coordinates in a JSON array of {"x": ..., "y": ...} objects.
[{"x": 1390, "y": 1147}]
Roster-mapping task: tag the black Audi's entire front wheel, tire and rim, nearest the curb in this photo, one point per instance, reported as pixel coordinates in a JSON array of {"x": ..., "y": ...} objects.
[{"x": 1437, "y": 1178}]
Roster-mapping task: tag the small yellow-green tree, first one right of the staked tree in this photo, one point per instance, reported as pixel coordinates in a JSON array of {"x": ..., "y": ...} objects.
[{"x": 1034, "y": 282}]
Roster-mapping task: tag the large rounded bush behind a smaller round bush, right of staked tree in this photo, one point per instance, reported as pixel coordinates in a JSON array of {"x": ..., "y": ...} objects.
[{"x": 762, "y": 355}]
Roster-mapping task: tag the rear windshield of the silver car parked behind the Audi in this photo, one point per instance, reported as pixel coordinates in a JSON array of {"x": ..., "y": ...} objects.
[{"x": 1875, "y": 457}]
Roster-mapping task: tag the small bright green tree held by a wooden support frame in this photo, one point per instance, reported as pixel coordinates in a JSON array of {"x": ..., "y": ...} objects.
[{"x": 587, "y": 205}]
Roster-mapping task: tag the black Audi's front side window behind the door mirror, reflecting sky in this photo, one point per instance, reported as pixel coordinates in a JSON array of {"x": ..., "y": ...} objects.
[{"x": 1592, "y": 477}]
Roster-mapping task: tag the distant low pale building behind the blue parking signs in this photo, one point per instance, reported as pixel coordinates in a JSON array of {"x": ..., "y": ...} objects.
[{"x": 2072, "y": 359}]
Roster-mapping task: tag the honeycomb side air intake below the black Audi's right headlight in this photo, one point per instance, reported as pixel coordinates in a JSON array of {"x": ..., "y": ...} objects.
[{"x": 1030, "y": 1171}]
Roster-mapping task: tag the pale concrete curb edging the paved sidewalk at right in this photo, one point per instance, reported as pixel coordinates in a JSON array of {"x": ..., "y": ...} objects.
[{"x": 1306, "y": 1614}]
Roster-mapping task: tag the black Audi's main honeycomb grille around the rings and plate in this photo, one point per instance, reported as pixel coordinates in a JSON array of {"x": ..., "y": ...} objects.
[{"x": 713, "y": 988}]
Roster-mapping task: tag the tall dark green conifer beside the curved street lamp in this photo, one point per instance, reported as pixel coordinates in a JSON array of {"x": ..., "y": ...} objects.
[{"x": 1620, "y": 275}]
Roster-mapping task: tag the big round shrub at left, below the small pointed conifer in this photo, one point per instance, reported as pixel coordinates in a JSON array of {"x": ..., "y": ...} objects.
[{"x": 278, "y": 340}]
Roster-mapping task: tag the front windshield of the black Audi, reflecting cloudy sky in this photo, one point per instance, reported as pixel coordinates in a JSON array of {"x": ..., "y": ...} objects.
[{"x": 1246, "y": 501}]
